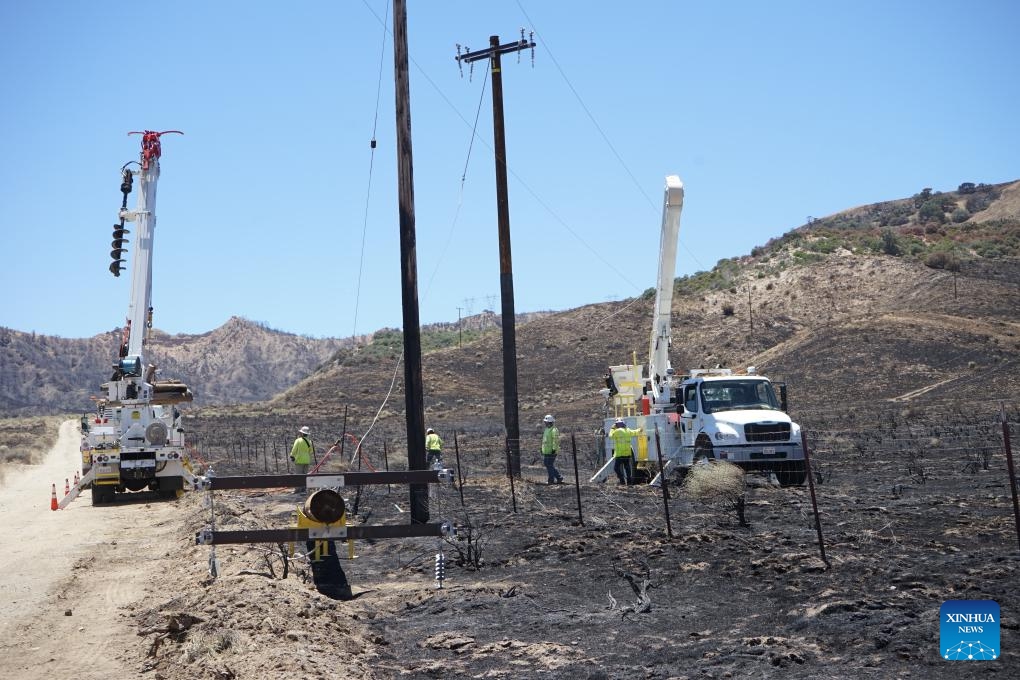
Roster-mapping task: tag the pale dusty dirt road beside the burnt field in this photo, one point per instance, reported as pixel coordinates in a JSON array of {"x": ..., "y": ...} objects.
[{"x": 71, "y": 577}]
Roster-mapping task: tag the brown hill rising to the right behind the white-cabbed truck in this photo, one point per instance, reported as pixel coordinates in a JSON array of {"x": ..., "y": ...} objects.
[{"x": 850, "y": 313}]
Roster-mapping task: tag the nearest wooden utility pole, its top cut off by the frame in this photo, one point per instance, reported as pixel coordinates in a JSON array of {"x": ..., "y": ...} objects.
[{"x": 410, "y": 269}]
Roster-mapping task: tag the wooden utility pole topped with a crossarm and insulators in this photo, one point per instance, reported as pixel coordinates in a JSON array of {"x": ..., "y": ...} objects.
[{"x": 511, "y": 408}]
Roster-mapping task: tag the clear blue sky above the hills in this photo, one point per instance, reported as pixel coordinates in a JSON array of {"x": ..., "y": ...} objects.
[{"x": 770, "y": 112}]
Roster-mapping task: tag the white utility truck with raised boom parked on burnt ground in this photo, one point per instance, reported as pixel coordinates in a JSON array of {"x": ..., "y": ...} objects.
[{"x": 705, "y": 415}]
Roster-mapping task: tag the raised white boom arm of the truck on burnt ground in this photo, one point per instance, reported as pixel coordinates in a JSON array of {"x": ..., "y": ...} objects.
[{"x": 658, "y": 352}]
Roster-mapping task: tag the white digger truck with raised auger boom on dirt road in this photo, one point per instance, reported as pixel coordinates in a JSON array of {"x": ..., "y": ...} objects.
[{"x": 135, "y": 440}]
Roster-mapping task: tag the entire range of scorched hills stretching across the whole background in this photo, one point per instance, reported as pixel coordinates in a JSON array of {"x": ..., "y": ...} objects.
[{"x": 919, "y": 294}]
